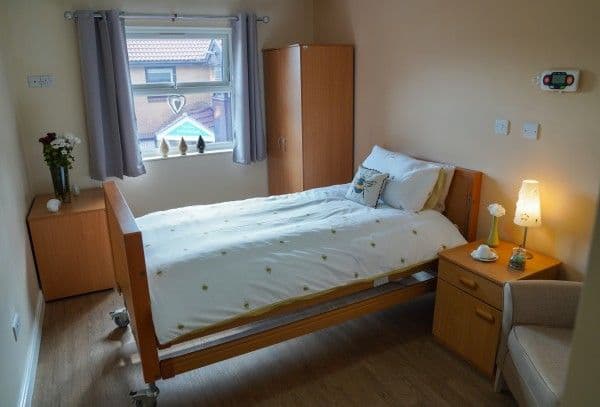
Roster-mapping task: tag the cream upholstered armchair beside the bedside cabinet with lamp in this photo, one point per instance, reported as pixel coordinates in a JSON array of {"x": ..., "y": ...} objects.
[{"x": 534, "y": 350}]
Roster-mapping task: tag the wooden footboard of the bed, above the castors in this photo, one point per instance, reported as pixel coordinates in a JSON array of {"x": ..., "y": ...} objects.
[{"x": 130, "y": 276}]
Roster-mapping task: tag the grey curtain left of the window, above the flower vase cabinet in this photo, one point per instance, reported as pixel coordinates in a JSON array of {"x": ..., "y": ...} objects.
[{"x": 110, "y": 115}]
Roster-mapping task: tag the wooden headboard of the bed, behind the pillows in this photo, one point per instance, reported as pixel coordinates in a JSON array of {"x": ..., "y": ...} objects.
[{"x": 462, "y": 202}]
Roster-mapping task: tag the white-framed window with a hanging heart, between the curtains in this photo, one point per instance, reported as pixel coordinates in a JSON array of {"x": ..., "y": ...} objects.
[{"x": 181, "y": 87}]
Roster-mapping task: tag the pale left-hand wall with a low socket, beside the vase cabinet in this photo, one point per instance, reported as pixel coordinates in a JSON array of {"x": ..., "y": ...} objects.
[{"x": 18, "y": 288}]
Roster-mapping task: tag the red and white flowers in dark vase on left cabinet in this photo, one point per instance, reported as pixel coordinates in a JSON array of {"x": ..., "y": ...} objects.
[{"x": 58, "y": 155}]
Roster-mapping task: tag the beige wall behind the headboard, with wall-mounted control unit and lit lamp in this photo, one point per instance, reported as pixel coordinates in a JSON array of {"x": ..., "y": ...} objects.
[{"x": 431, "y": 78}]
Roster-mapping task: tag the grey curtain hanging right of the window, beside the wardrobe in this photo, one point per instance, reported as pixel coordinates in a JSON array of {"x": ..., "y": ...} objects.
[{"x": 248, "y": 122}]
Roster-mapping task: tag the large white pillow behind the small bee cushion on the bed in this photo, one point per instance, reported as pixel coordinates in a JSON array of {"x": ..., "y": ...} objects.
[{"x": 411, "y": 181}]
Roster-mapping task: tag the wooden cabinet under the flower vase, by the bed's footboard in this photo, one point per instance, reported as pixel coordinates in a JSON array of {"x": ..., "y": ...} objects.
[{"x": 71, "y": 247}]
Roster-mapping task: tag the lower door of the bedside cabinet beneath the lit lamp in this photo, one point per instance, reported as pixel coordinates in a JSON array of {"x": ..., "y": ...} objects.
[{"x": 467, "y": 326}]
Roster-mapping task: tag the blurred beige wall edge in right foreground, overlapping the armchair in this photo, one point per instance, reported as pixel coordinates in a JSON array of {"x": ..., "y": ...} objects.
[{"x": 584, "y": 368}]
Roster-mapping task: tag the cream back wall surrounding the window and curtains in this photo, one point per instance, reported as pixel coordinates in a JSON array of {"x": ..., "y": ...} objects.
[{"x": 49, "y": 45}]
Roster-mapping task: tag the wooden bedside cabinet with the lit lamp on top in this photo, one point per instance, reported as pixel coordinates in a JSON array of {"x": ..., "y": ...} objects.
[{"x": 468, "y": 305}]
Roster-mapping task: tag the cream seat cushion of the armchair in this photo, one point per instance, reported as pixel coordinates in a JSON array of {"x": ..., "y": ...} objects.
[{"x": 541, "y": 356}]
